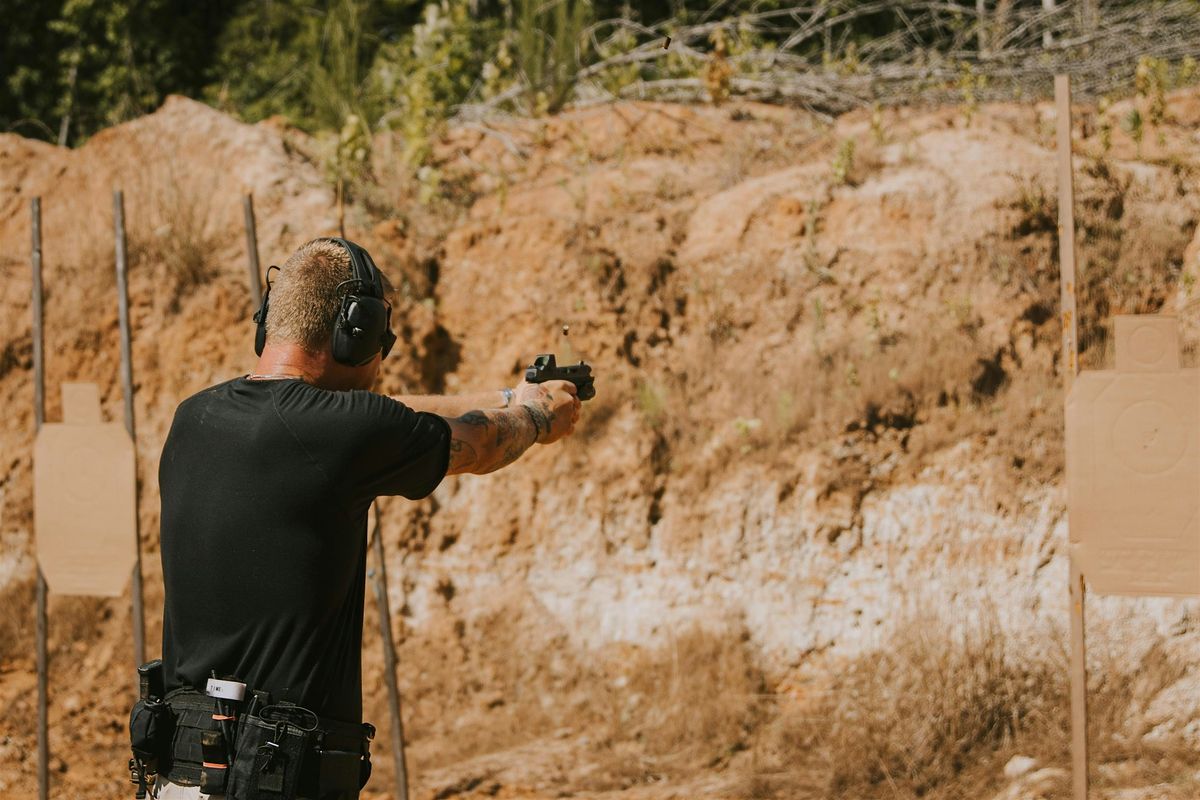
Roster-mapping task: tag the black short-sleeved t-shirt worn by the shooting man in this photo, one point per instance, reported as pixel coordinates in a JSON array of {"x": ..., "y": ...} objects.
[{"x": 266, "y": 489}]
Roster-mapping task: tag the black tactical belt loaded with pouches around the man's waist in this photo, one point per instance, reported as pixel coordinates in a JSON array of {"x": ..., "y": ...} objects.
[{"x": 278, "y": 753}]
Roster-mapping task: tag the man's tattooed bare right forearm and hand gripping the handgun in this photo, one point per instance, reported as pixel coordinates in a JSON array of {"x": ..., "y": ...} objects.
[{"x": 485, "y": 441}]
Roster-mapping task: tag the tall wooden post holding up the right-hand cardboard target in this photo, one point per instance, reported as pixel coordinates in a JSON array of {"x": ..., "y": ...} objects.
[{"x": 1070, "y": 368}]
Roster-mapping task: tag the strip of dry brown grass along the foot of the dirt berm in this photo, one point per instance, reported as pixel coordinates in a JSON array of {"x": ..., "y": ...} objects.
[{"x": 935, "y": 714}]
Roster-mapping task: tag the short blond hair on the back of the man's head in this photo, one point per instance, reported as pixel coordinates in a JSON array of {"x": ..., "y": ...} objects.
[{"x": 305, "y": 298}]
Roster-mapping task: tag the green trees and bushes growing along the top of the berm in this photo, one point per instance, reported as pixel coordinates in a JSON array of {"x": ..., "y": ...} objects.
[{"x": 410, "y": 64}]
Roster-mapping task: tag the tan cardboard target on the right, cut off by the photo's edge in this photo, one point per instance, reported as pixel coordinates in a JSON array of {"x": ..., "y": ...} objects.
[{"x": 1133, "y": 466}]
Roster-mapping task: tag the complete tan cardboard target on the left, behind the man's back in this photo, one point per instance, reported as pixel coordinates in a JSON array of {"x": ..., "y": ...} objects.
[{"x": 85, "y": 500}]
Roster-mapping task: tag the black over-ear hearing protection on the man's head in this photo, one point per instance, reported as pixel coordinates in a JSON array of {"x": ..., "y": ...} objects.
[{"x": 364, "y": 321}]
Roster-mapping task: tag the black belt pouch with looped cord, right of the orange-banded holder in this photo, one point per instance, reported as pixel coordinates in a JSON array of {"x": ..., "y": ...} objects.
[{"x": 268, "y": 761}]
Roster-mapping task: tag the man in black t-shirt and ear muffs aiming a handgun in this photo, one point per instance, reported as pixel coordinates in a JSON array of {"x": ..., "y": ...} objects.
[{"x": 266, "y": 484}]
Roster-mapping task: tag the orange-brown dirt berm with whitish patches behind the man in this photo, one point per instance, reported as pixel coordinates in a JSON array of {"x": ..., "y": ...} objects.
[{"x": 829, "y": 418}]
